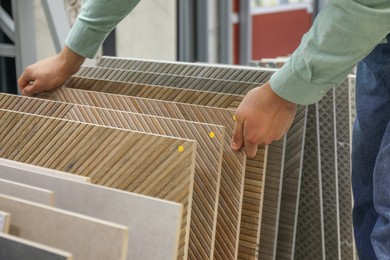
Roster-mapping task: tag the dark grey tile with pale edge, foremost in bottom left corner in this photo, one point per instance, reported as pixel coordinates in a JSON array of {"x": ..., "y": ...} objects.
[{"x": 14, "y": 248}]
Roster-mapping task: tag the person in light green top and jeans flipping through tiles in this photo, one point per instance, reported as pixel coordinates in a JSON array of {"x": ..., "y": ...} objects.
[{"x": 344, "y": 33}]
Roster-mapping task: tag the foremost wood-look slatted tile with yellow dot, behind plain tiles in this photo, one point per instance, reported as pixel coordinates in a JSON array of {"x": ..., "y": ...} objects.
[{"x": 111, "y": 157}]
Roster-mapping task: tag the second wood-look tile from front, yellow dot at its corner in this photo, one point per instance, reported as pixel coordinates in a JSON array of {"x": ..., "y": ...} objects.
[{"x": 207, "y": 163}]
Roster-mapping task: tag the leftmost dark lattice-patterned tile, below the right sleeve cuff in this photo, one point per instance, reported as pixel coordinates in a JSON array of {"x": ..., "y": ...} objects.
[{"x": 309, "y": 241}]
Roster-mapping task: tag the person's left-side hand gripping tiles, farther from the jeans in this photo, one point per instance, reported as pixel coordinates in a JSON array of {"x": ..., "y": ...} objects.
[{"x": 49, "y": 73}]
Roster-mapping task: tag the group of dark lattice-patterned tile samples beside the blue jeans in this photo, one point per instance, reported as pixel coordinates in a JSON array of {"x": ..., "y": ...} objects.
[{"x": 324, "y": 222}]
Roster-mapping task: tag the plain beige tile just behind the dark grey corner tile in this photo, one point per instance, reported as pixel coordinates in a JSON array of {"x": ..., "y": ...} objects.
[{"x": 85, "y": 237}]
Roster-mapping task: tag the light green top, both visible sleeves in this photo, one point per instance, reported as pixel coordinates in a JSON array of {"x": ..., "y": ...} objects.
[{"x": 342, "y": 35}]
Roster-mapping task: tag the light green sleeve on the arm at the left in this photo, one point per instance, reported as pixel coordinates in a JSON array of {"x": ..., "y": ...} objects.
[{"x": 97, "y": 18}]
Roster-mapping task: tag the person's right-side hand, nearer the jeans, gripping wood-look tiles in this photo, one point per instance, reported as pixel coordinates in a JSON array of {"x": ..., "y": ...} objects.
[{"x": 261, "y": 118}]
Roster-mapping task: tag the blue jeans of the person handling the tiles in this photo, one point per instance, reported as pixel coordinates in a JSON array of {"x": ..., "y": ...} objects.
[{"x": 371, "y": 156}]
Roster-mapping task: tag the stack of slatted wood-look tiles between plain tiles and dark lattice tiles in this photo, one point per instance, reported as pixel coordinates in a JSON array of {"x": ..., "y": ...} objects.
[{"x": 163, "y": 130}]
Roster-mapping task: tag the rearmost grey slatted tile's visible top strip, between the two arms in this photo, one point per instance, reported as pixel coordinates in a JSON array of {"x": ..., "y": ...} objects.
[{"x": 204, "y": 70}]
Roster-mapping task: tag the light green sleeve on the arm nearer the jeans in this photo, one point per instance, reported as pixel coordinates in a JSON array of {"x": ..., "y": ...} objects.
[{"x": 342, "y": 35}]
